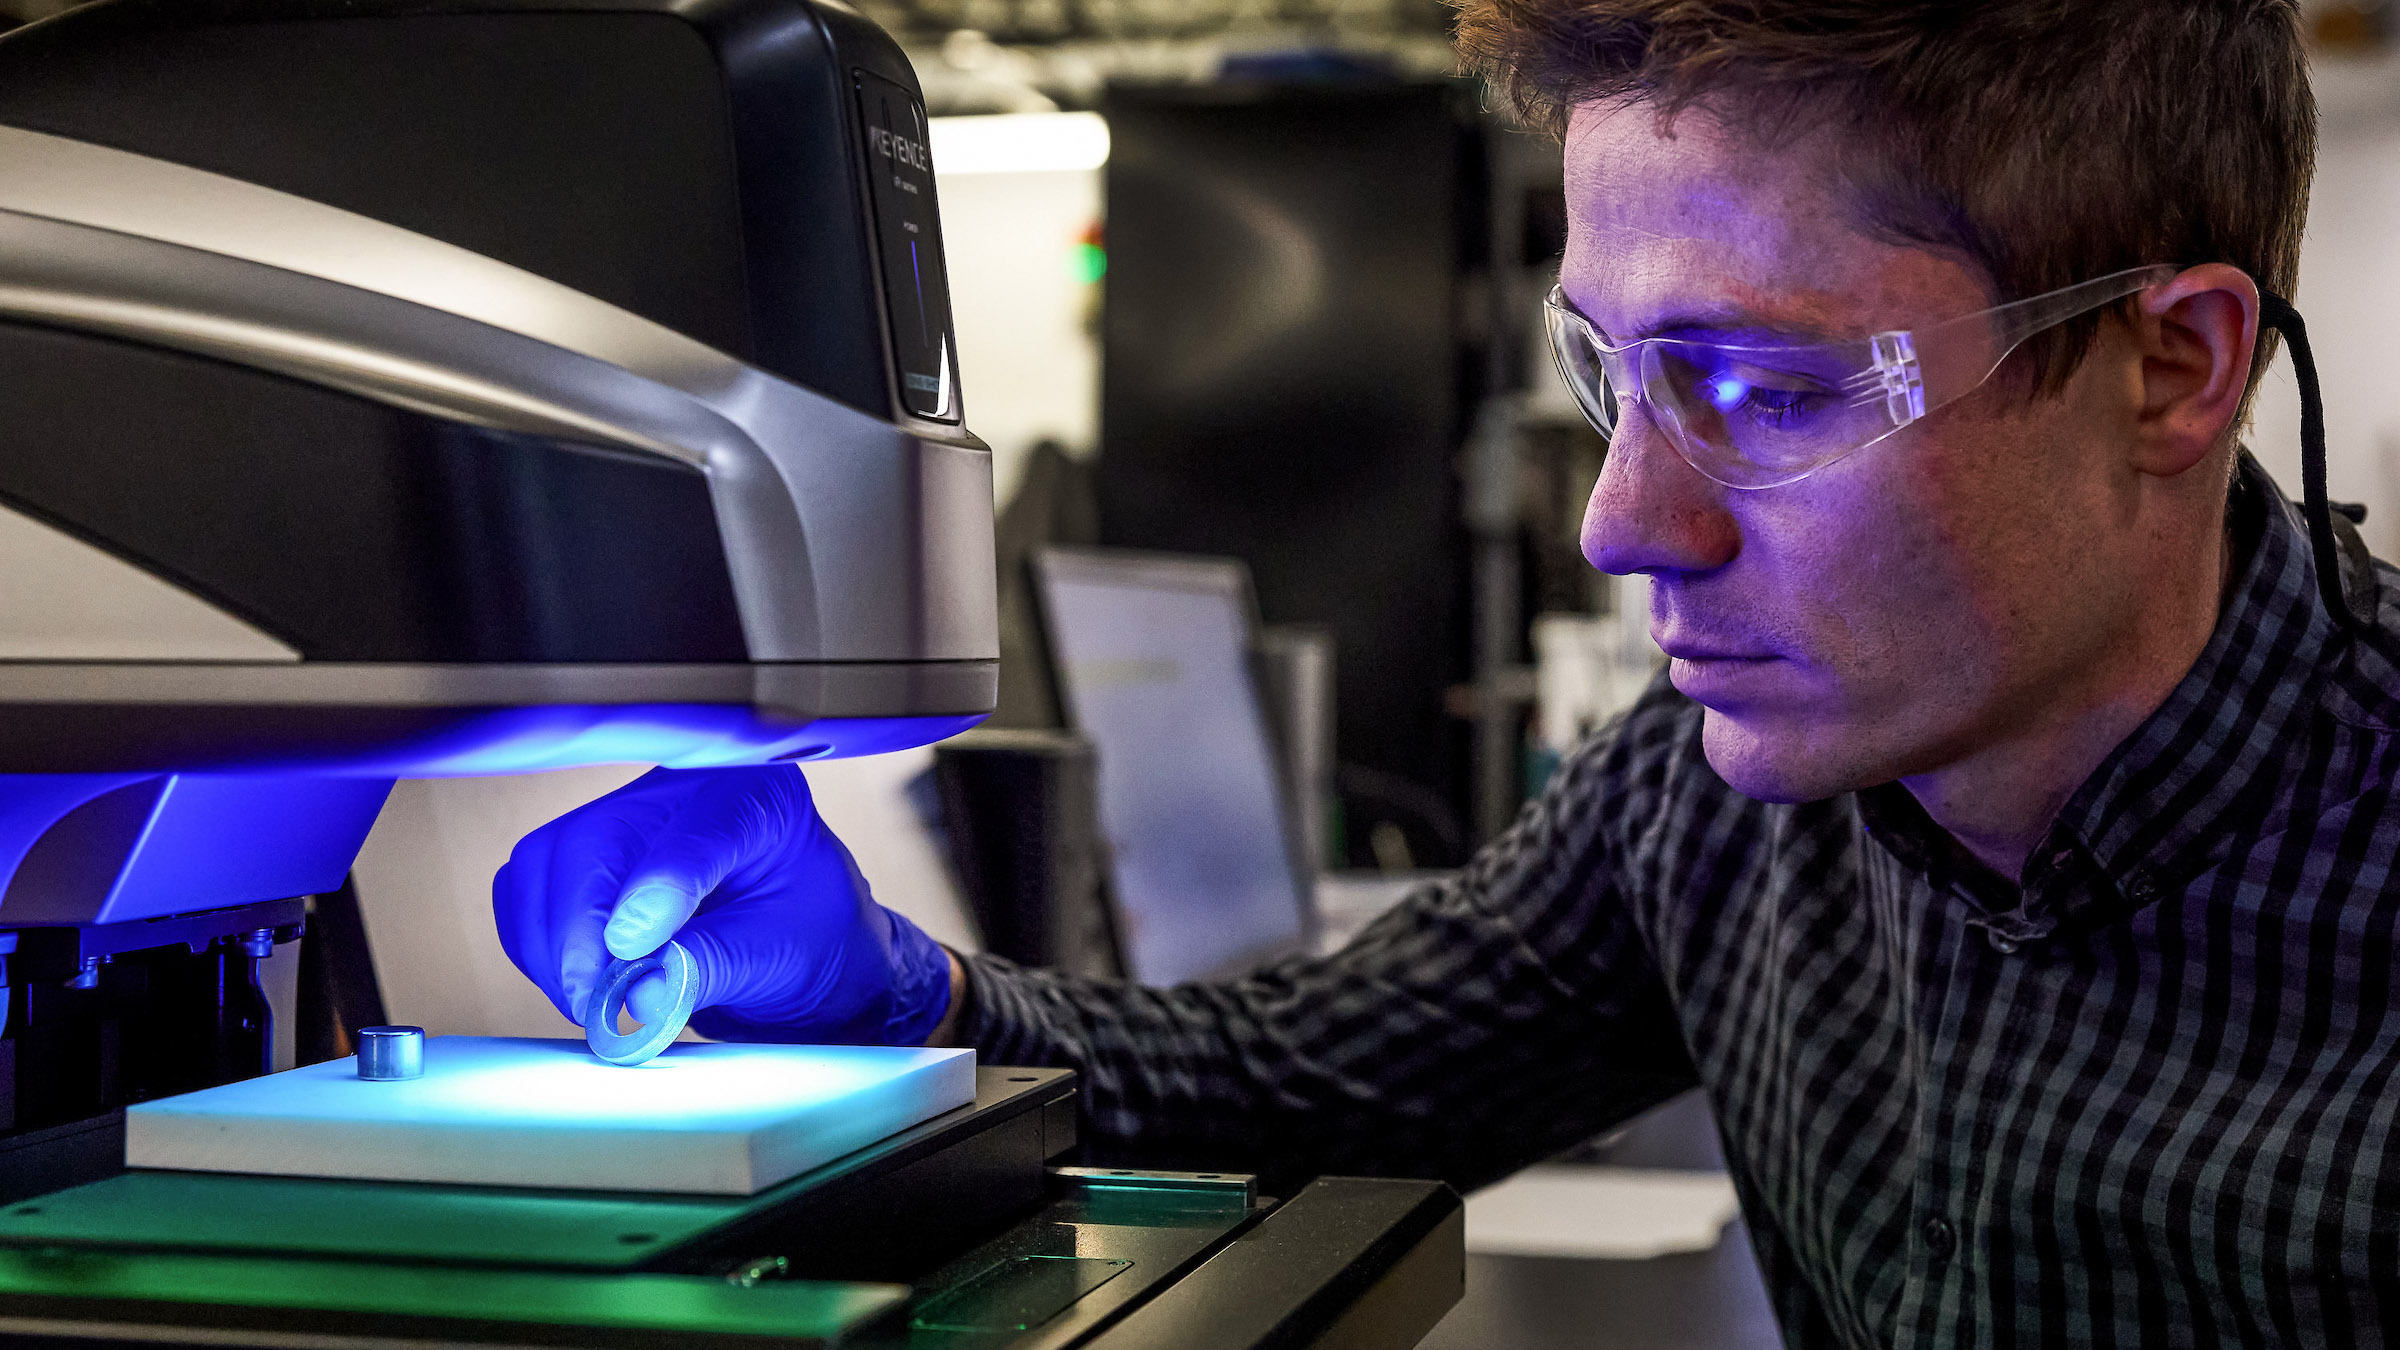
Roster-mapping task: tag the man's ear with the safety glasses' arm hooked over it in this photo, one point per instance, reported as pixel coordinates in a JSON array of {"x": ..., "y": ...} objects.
[{"x": 2197, "y": 337}]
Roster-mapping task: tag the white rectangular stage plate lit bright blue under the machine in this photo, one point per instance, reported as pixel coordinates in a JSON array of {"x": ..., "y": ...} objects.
[{"x": 544, "y": 1113}]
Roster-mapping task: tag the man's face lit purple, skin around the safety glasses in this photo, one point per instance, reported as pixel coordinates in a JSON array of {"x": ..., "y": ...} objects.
[{"x": 1902, "y": 609}]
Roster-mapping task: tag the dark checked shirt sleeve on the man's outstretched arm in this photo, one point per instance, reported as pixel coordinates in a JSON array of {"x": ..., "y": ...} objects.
[{"x": 1484, "y": 1025}]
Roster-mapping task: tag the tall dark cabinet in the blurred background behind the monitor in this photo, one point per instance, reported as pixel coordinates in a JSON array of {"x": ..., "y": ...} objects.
[{"x": 1290, "y": 371}]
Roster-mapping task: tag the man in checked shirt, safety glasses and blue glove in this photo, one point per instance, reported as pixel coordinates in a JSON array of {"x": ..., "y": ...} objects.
[{"x": 2008, "y": 849}]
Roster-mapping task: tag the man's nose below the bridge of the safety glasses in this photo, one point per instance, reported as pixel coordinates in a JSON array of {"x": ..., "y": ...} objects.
[{"x": 1655, "y": 513}]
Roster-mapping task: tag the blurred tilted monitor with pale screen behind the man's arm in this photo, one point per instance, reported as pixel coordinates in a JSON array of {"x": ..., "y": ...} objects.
[{"x": 1153, "y": 662}]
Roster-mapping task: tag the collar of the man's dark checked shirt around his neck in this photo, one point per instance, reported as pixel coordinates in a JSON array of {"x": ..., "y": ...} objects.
[{"x": 2156, "y": 808}]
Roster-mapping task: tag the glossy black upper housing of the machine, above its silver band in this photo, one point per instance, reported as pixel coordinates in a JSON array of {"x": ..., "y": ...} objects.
[{"x": 697, "y": 165}]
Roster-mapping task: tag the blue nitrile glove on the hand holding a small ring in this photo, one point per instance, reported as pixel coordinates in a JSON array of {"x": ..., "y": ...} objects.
[{"x": 733, "y": 864}]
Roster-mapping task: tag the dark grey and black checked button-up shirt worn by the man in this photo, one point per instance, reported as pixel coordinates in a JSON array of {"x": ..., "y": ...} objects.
[{"x": 2142, "y": 1097}]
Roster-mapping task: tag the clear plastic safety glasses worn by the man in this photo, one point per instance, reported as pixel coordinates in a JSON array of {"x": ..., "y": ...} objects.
[{"x": 1760, "y": 417}]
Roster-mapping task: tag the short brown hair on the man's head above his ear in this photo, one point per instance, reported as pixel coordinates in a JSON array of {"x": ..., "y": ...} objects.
[{"x": 2046, "y": 141}]
